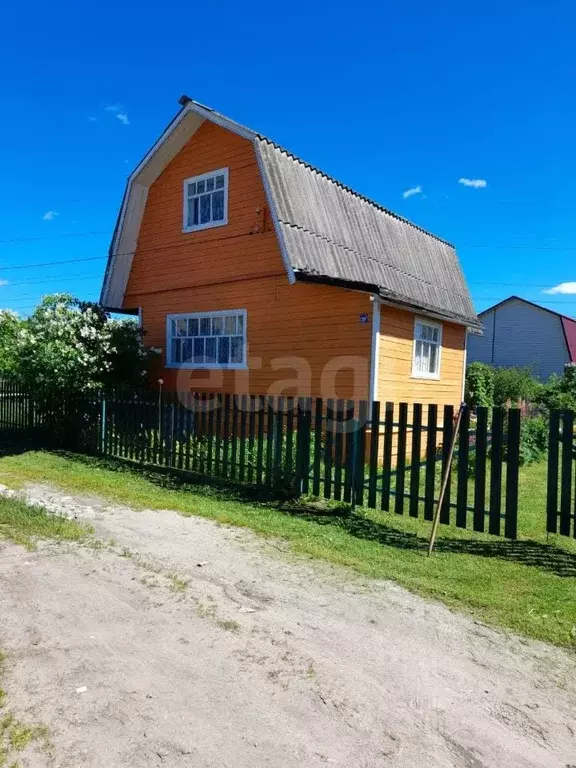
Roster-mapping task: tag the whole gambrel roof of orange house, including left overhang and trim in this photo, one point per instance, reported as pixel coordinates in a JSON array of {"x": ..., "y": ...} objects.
[{"x": 326, "y": 231}]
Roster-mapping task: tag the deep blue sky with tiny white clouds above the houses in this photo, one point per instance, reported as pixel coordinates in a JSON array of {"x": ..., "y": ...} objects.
[{"x": 385, "y": 96}]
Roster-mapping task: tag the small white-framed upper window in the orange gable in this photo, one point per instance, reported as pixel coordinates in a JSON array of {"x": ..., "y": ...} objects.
[{"x": 206, "y": 201}]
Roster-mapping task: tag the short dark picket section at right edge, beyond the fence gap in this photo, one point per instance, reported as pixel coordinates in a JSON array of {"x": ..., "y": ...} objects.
[{"x": 561, "y": 492}]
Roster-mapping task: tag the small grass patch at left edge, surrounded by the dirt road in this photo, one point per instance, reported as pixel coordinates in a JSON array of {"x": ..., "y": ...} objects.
[{"x": 23, "y": 523}]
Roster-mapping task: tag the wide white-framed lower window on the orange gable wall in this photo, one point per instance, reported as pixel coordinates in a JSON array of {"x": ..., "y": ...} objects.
[{"x": 207, "y": 340}]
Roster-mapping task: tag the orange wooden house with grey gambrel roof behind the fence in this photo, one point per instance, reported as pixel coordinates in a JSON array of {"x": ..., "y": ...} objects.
[{"x": 256, "y": 272}]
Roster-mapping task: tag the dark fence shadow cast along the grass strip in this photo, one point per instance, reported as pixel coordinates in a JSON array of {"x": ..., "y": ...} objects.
[{"x": 526, "y": 552}]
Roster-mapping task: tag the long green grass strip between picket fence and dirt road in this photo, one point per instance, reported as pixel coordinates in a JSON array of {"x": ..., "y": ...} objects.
[{"x": 528, "y": 586}]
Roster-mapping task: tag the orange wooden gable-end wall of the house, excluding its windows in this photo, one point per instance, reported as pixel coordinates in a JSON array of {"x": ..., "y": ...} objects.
[{"x": 310, "y": 333}]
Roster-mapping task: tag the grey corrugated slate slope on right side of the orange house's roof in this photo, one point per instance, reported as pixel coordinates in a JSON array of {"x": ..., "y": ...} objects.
[{"x": 333, "y": 232}]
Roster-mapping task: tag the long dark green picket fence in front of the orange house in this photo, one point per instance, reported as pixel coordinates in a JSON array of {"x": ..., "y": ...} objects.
[{"x": 385, "y": 456}]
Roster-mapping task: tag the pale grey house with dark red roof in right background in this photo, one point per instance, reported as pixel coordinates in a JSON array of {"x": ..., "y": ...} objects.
[{"x": 520, "y": 333}]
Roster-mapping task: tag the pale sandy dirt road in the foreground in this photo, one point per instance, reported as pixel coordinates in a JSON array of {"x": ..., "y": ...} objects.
[{"x": 251, "y": 659}]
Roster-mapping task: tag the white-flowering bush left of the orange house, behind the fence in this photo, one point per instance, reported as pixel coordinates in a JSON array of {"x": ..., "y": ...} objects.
[{"x": 72, "y": 345}]
